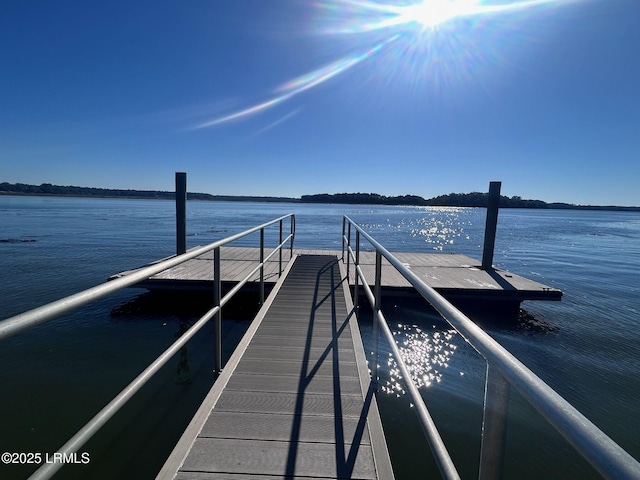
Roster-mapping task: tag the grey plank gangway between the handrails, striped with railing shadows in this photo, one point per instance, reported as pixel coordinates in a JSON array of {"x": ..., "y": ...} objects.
[{"x": 295, "y": 399}]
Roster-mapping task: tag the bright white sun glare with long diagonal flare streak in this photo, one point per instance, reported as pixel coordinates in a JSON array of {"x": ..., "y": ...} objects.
[{"x": 393, "y": 22}]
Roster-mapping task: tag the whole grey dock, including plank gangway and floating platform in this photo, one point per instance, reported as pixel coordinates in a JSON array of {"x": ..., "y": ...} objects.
[{"x": 296, "y": 399}]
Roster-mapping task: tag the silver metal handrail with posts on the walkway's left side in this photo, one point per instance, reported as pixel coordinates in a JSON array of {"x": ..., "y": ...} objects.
[{"x": 15, "y": 324}]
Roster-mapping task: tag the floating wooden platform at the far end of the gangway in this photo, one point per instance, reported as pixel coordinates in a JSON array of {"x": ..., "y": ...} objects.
[{"x": 455, "y": 276}]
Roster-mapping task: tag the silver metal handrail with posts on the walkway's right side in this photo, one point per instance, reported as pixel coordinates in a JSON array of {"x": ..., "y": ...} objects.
[{"x": 503, "y": 370}]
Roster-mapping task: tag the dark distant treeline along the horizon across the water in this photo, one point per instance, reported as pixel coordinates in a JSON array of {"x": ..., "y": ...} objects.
[{"x": 474, "y": 199}]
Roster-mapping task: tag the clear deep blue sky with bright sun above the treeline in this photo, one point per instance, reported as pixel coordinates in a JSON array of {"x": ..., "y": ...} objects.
[{"x": 292, "y": 97}]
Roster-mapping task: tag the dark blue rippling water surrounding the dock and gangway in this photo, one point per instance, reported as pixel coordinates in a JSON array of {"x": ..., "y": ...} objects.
[{"x": 58, "y": 375}]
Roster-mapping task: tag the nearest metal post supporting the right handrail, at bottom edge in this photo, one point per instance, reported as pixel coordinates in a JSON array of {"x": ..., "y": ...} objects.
[{"x": 494, "y": 425}]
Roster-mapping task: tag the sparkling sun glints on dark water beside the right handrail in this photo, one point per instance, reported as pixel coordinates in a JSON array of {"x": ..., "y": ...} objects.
[{"x": 425, "y": 353}]
